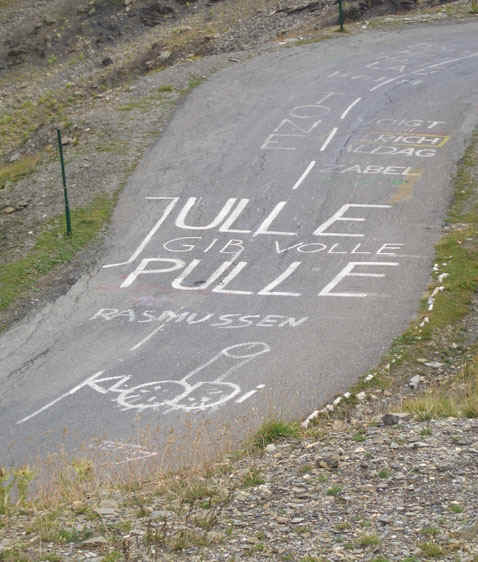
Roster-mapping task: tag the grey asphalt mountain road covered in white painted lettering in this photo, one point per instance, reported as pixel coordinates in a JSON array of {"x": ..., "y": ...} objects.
[{"x": 262, "y": 257}]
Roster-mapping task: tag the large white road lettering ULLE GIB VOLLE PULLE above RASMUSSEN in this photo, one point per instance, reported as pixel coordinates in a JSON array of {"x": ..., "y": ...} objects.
[{"x": 220, "y": 280}]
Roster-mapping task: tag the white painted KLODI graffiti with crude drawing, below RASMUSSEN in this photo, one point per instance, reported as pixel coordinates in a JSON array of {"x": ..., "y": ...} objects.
[{"x": 203, "y": 388}]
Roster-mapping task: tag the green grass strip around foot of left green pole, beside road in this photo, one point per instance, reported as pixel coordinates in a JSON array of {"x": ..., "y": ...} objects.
[{"x": 54, "y": 248}]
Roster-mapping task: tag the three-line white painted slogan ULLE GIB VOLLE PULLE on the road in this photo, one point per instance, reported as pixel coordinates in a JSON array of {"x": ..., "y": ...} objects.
[{"x": 225, "y": 278}]
